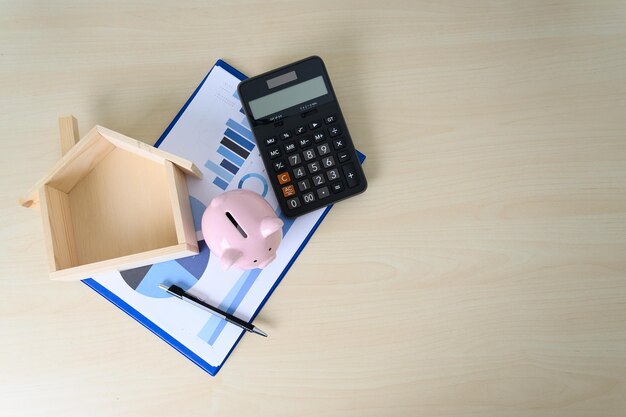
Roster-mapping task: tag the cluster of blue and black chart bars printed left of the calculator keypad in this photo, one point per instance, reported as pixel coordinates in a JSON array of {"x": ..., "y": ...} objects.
[{"x": 235, "y": 147}]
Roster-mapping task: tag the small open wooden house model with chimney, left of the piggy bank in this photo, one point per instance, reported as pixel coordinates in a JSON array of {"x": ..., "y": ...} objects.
[{"x": 113, "y": 203}]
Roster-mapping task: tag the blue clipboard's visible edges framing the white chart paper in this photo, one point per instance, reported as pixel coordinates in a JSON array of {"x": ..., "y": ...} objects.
[{"x": 166, "y": 337}]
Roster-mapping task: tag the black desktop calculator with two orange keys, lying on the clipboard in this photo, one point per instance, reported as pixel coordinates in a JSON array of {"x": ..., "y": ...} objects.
[{"x": 302, "y": 136}]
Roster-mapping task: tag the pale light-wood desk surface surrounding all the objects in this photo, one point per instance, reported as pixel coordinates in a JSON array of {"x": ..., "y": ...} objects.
[{"x": 482, "y": 273}]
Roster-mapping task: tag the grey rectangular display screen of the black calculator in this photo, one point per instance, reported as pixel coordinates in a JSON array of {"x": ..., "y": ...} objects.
[{"x": 288, "y": 97}]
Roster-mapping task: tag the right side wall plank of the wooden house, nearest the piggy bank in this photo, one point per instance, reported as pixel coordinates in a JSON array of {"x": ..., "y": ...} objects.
[{"x": 181, "y": 206}]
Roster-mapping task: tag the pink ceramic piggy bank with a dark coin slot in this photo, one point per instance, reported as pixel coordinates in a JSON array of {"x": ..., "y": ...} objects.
[{"x": 242, "y": 229}]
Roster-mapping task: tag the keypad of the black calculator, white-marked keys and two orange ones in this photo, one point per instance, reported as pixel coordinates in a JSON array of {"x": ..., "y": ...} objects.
[{"x": 318, "y": 163}]
